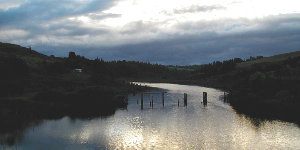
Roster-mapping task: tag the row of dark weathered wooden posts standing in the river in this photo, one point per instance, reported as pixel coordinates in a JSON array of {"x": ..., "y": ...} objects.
[{"x": 163, "y": 100}]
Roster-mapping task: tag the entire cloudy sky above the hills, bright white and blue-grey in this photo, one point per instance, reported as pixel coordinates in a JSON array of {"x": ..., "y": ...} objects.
[{"x": 177, "y": 32}]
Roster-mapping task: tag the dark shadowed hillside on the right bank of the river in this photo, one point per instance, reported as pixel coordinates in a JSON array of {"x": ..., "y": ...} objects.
[{"x": 264, "y": 87}]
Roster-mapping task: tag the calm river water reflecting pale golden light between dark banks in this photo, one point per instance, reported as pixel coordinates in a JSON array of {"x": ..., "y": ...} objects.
[{"x": 215, "y": 126}]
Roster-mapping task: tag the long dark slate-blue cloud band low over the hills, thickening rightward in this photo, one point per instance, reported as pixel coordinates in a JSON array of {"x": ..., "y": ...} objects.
[{"x": 277, "y": 34}]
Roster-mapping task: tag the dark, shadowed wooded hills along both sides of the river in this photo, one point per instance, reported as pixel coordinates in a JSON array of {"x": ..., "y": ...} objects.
[{"x": 51, "y": 86}]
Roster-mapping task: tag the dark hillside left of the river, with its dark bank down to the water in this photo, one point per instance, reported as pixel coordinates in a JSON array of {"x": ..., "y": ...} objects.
[{"x": 36, "y": 86}]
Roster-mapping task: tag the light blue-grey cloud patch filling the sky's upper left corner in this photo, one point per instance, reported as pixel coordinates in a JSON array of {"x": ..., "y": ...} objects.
[{"x": 40, "y": 12}]
